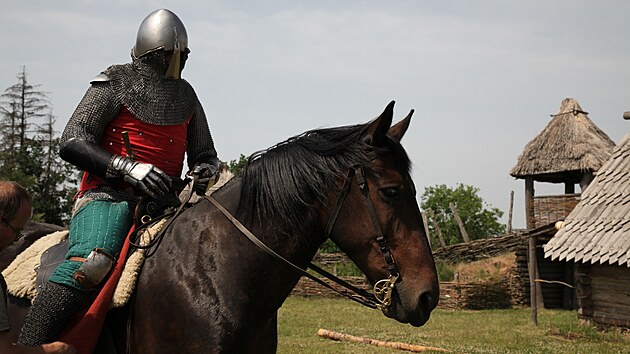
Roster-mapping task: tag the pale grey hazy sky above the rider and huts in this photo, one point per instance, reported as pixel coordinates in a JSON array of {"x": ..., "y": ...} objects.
[{"x": 483, "y": 76}]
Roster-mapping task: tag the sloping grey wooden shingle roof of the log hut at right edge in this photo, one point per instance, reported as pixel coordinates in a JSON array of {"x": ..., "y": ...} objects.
[{"x": 598, "y": 230}]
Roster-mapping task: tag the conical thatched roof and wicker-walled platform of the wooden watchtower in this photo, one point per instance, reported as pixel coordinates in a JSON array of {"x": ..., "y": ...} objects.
[{"x": 569, "y": 150}]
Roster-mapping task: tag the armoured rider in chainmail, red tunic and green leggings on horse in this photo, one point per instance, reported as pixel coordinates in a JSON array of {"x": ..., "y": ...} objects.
[{"x": 129, "y": 134}]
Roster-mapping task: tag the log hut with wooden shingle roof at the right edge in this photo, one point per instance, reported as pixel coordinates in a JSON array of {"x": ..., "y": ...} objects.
[{"x": 596, "y": 236}]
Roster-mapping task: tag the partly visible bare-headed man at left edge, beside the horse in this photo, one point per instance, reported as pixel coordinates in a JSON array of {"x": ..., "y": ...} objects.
[{"x": 15, "y": 210}]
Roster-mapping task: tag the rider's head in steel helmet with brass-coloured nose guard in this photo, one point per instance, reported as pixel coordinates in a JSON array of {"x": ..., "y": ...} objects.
[{"x": 163, "y": 33}]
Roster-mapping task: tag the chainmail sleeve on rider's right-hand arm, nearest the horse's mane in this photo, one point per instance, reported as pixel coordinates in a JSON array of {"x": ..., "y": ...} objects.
[{"x": 200, "y": 143}]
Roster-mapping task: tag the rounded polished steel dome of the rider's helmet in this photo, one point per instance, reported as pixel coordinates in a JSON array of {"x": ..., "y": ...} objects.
[{"x": 162, "y": 29}]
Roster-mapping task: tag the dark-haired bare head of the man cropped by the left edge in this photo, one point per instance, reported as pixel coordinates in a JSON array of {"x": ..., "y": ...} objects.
[{"x": 15, "y": 210}]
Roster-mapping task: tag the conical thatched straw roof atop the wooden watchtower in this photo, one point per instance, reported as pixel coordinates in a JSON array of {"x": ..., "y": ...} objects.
[{"x": 570, "y": 145}]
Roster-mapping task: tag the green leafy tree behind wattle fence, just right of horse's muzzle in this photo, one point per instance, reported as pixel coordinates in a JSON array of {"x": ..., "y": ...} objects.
[{"x": 479, "y": 219}]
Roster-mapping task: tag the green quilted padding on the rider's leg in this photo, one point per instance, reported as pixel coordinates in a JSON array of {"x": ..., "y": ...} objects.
[{"x": 98, "y": 224}]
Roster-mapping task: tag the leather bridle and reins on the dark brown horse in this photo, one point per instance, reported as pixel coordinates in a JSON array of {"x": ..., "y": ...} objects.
[{"x": 383, "y": 289}]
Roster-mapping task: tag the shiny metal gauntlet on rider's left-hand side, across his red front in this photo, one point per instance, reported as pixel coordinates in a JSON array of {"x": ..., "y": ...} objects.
[{"x": 144, "y": 176}]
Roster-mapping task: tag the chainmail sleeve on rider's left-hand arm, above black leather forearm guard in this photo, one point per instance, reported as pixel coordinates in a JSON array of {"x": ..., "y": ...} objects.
[{"x": 97, "y": 108}]
